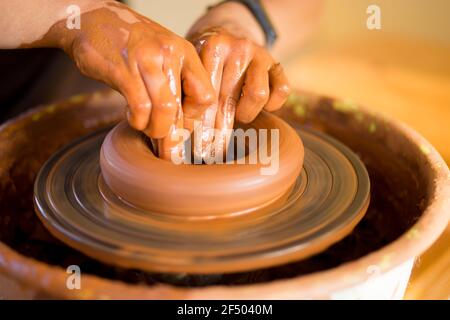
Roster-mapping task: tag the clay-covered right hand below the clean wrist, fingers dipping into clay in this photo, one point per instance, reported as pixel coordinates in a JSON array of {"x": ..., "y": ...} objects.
[{"x": 244, "y": 75}]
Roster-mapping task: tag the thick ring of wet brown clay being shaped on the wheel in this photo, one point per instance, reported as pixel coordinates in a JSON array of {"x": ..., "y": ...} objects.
[{"x": 137, "y": 176}]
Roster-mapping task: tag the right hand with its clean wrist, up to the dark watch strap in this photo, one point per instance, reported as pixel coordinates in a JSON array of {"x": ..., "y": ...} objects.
[{"x": 245, "y": 76}]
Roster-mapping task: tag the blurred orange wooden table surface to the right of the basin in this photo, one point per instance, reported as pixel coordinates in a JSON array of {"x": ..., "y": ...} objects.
[{"x": 405, "y": 79}]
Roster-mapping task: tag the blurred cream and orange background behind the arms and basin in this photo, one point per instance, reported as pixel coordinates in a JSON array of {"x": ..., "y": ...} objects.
[{"x": 401, "y": 70}]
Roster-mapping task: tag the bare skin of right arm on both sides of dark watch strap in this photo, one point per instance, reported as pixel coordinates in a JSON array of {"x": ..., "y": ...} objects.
[{"x": 294, "y": 21}]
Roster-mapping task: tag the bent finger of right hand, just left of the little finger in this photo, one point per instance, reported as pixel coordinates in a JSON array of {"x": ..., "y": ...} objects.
[{"x": 255, "y": 91}]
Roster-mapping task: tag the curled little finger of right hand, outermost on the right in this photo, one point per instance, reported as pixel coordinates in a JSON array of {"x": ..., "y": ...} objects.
[{"x": 279, "y": 88}]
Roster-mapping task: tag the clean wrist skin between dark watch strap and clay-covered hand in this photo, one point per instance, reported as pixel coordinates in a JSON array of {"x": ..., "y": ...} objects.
[{"x": 232, "y": 16}]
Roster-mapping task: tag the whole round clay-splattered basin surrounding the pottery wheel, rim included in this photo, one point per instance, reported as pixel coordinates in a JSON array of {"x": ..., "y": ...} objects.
[{"x": 410, "y": 207}]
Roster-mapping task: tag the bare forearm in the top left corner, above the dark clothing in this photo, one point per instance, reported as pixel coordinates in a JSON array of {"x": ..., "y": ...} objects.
[{"x": 27, "y": 22}]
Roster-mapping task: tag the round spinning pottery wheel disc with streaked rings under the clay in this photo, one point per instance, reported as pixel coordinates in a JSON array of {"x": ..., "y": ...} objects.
[{"x": 325, "y": 201}]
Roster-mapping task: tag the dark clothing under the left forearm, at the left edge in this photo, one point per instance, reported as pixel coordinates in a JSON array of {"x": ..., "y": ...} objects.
[{"x": 31, "y": 77}]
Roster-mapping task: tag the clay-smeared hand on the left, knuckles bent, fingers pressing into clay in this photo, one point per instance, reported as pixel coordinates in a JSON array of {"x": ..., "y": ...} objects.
[{"x": 158, "y": 72}]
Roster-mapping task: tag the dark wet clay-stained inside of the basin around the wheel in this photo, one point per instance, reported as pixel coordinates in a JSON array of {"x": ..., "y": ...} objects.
[{"x": 396, "y": 200}]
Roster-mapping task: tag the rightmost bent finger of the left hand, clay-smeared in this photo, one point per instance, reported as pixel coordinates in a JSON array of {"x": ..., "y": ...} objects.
[{"x": 197, "y": 89}]
